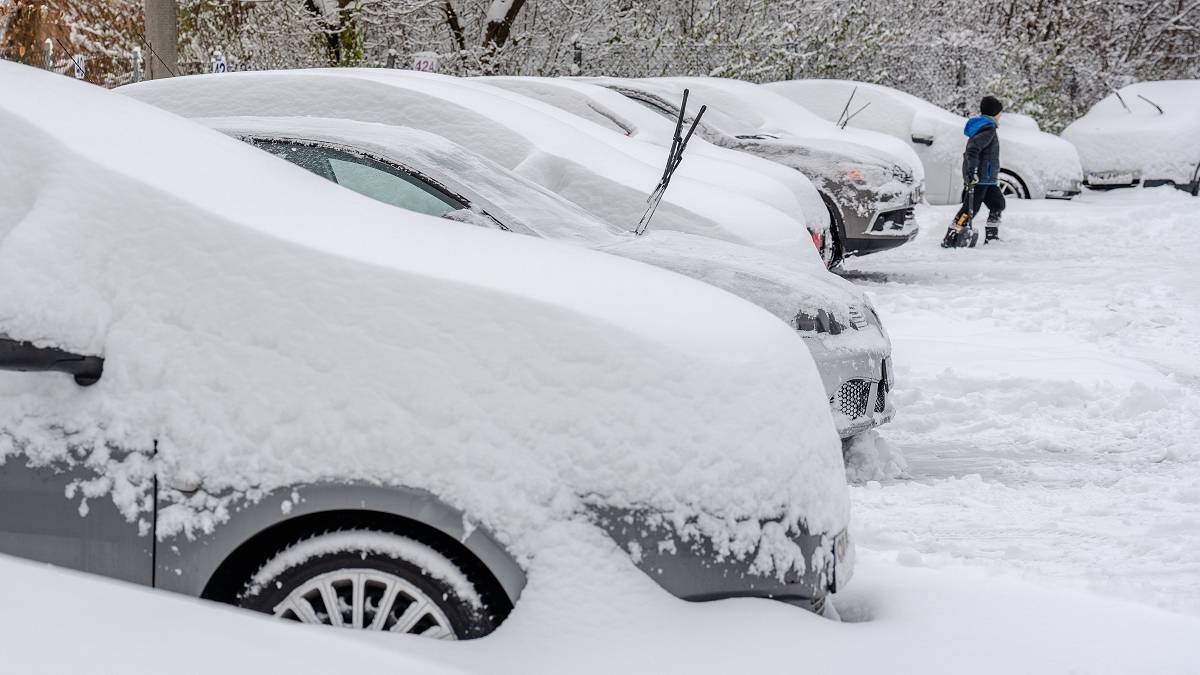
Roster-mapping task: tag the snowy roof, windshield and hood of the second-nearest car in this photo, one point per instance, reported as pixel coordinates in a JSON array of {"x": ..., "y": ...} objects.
[{"x": 784, "y": 286}]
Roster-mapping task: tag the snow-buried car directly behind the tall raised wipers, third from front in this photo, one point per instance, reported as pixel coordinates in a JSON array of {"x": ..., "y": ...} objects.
[{"x": 599, "y": 170}]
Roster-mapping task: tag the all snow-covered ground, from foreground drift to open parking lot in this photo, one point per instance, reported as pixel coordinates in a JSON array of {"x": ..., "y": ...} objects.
[{"x": 1035, "y": 507}]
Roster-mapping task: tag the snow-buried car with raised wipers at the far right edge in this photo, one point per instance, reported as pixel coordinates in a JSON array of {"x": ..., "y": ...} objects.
[{"x": 1147, "y": 134}]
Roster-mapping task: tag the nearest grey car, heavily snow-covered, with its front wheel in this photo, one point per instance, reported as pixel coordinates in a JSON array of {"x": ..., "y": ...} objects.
[{"x": 224, "y": 377}]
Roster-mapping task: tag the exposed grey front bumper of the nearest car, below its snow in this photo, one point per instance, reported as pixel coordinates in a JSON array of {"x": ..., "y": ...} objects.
[{"x": 693, "y": 570}]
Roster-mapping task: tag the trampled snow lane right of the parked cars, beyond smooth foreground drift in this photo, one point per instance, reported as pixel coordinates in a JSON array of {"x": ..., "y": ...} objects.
[{"x": 1049, "y": 399}]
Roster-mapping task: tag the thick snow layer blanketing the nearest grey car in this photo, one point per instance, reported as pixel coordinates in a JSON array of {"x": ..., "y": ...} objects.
[{"x": 263, "y": 327}]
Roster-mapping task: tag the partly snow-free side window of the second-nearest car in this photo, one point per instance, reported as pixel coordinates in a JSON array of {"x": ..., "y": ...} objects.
[{"x": 368, "y": 177}]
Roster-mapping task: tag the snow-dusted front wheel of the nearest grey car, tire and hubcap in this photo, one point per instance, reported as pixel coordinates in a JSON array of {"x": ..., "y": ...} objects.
[{"x": 376, "y": 581}]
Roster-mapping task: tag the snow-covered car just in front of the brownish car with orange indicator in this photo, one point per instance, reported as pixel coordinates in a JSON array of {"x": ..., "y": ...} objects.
[{"x": 610, "y": 110}]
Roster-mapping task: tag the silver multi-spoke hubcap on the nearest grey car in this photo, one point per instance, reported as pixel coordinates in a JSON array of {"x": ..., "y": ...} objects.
[{"x": 369, "y": 600}]
